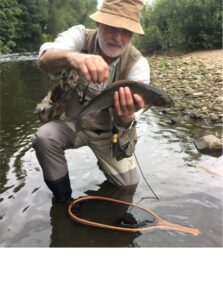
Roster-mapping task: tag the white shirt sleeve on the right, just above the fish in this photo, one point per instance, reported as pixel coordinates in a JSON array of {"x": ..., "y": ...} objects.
[{"x": 140, "y": 71}]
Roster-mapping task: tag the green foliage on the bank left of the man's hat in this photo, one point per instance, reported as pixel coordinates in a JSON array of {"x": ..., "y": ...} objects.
[{"x": 25, "y": 24}]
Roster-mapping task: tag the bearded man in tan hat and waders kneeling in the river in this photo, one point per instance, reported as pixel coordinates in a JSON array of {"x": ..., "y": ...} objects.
[{"x": 99, "y": 57}]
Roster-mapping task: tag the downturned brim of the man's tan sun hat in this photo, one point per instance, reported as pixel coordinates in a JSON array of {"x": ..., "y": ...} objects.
[{"x": 117, "y": 21}]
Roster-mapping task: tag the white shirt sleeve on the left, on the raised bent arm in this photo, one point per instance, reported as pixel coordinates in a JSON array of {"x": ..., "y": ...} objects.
[{"x": 72, "y": 39}]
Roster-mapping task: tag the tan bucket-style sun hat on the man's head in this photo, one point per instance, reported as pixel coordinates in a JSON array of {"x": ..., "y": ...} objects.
[{"x": 120, "y": 13}]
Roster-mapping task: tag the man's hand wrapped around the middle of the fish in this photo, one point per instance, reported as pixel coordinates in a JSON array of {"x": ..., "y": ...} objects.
[{"x": 125, "y": 105}]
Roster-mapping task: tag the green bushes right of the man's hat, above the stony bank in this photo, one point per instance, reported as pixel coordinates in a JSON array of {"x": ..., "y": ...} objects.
[{"x": 181, "y": 25}]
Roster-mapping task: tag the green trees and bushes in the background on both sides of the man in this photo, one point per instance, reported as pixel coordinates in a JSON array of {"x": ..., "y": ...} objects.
[{"x": 168, "y": 24}]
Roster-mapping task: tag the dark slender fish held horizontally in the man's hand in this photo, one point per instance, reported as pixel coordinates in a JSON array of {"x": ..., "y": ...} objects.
[{"x": 151, "y": 94}]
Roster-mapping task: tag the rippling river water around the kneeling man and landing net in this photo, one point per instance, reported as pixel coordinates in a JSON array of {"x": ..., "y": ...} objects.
[{"x": 188, "y": 184}]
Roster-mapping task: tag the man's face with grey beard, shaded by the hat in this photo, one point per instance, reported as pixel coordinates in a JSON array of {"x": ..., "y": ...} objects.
[{"x": 112, "y": 40}]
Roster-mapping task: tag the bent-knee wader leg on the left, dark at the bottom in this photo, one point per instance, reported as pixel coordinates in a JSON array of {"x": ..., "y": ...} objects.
[{"x": 50, "y": 143}]
